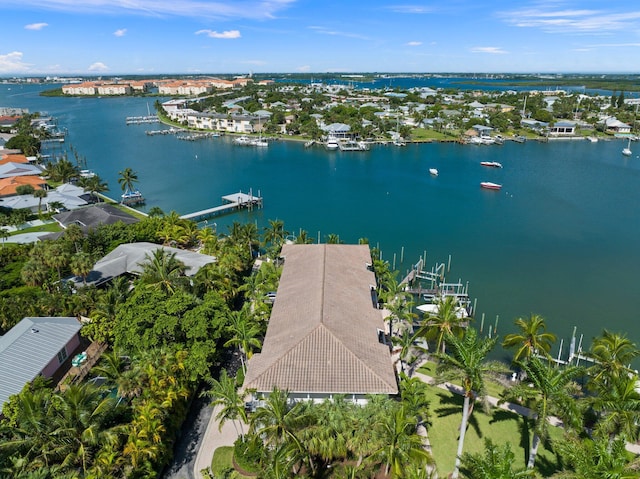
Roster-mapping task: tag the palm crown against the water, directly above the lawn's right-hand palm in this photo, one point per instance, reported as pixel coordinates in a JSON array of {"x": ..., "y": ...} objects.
[{"x": 531, "y": 339}]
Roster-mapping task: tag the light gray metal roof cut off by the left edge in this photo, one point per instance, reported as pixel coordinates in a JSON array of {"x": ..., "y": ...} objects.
[{"x": 28, "y": 347}]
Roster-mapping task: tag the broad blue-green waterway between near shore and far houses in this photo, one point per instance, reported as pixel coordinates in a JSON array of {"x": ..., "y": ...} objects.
[{"x": 560, "y": 239}]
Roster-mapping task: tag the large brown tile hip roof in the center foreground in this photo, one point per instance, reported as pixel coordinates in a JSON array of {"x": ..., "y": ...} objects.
[{"x": 323, "y": 331}]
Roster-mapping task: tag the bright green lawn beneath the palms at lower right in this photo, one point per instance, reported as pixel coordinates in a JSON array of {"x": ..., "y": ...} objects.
[{"x": 500, "y": 426}]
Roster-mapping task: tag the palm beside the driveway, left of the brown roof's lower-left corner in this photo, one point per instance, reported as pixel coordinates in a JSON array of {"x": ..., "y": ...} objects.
[{"x": 224, "y": 393}]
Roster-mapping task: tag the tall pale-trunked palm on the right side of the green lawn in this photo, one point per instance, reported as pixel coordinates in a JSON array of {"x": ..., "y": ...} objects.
[{"x": 547, "y": 391}]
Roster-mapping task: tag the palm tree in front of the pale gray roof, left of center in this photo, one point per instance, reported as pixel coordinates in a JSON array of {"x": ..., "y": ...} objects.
[{"x": 162, "y": 271}]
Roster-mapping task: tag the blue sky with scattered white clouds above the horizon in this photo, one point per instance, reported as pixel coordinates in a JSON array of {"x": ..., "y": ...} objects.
[{"x": 147, "y": 37}]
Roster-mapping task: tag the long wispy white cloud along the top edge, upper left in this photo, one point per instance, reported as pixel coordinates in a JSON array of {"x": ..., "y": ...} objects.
[{"x": 253, "y": 9}]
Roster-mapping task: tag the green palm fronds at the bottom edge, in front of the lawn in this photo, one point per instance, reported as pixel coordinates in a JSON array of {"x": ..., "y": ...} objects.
[{"x": 496, "y": 462}]
